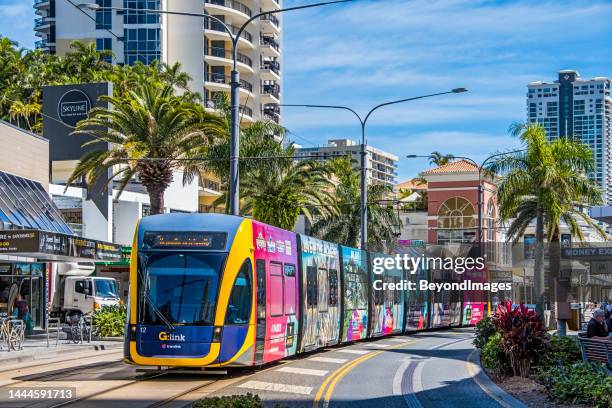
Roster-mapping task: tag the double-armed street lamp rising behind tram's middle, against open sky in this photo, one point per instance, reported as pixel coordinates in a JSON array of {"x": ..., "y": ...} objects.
[{"x": 363, "y": 121}]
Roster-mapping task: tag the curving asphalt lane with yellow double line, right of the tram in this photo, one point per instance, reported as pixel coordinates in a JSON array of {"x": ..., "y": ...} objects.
[{"x": 434, "y": 369}]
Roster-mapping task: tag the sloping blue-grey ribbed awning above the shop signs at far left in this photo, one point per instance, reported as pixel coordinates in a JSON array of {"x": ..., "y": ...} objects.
[{"x": 25, "y": 204}]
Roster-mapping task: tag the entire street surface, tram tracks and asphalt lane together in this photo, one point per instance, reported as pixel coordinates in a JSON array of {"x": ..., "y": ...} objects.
[{"x": 417, "y": 371}]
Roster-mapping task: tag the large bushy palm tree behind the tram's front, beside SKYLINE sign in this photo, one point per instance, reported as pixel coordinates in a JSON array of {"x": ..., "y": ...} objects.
[{"x": 145, "y": 134}]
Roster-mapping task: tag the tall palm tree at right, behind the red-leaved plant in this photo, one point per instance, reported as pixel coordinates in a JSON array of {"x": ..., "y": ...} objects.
[{"x": 547, "y": 182}]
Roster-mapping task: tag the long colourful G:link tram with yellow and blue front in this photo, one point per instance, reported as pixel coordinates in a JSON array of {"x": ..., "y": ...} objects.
[{"x": 213, "y": 290}]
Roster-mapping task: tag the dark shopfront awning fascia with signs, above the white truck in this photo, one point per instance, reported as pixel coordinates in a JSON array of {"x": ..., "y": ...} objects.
[{"x": 53, "y": 246}]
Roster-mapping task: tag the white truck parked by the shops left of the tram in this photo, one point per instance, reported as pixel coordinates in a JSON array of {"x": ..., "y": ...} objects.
[{"x": 77, "y": 293}]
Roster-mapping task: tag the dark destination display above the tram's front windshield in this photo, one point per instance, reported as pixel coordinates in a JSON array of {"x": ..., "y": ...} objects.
[{"x": 184, "y": 240}]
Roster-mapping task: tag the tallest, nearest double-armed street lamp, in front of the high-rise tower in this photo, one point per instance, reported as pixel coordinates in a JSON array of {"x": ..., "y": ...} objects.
[{"x": 234, "y": 182}]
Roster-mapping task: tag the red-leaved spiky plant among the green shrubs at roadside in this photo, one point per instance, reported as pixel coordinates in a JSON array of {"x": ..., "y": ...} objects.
[{"x": 523, "y": 335}]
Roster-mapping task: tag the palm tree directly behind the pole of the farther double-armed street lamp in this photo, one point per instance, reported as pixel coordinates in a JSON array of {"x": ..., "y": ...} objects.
[{"x": 344, "y": 227}]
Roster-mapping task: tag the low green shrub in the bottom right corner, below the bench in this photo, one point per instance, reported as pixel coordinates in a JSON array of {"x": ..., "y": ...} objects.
[{"x": 579, "y": 383}]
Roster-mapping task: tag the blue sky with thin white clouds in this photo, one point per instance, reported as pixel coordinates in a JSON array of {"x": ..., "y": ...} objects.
[{"x": 367, "y": 52}]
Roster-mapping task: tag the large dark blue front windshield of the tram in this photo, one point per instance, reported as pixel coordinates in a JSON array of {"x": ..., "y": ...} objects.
[{"x": 179, "y": 288}]
